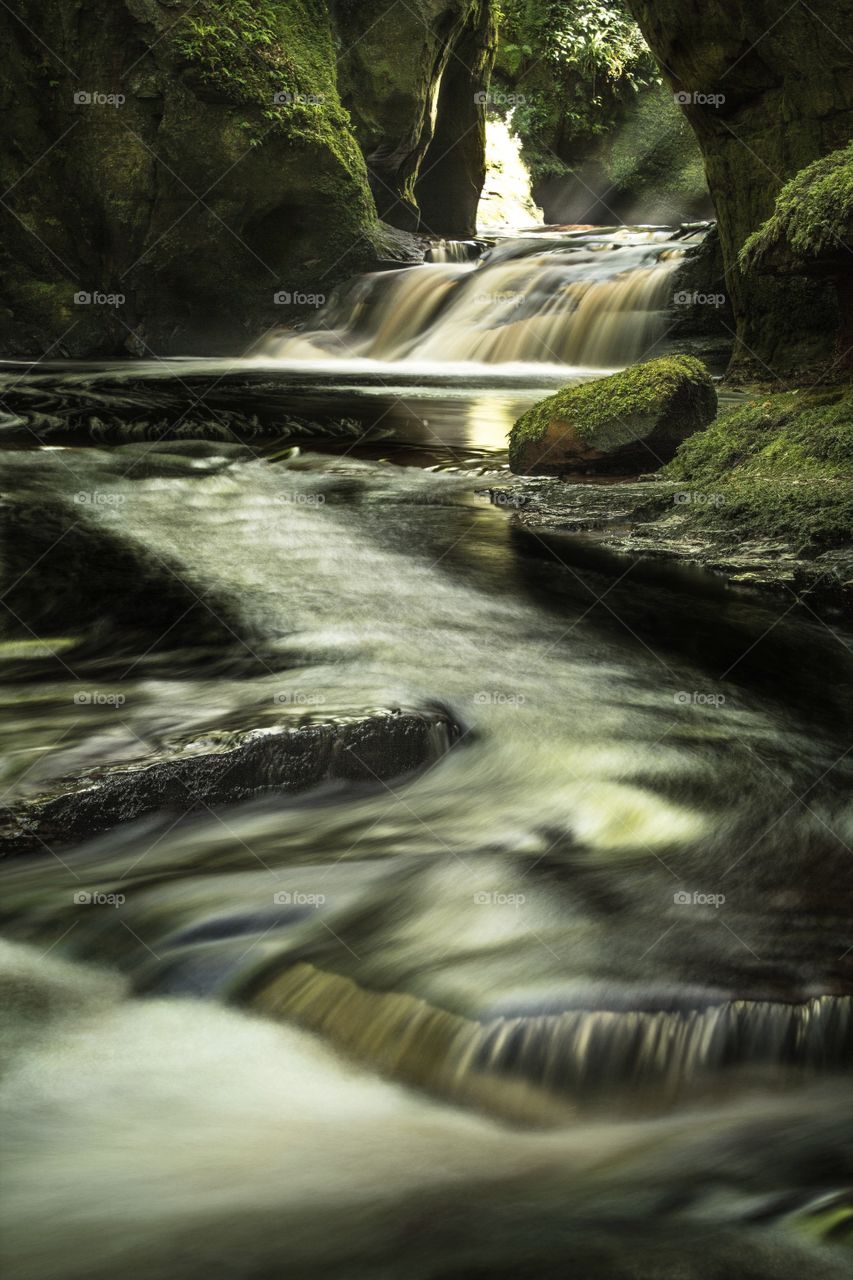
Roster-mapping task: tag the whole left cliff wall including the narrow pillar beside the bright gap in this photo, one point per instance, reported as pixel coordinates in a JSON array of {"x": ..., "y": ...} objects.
[{"x": 181, "y": 177}]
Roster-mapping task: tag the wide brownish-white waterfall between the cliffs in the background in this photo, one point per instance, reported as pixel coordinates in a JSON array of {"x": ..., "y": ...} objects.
[{"x": 580, "y": 300}]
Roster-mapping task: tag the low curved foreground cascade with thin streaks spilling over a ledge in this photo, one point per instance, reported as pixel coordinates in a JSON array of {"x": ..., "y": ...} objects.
[{"x": 577, "y": 1055}]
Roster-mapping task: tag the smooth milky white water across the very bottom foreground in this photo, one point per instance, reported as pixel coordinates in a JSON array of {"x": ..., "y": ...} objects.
[{"x": 170, "y": 1139}]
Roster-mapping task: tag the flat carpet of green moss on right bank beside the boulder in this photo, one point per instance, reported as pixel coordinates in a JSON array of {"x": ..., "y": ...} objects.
[{"x": 778, "y": 468}]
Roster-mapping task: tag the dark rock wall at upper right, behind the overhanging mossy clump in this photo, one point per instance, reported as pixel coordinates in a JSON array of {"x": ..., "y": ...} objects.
[{"x": 768, "y": 92}]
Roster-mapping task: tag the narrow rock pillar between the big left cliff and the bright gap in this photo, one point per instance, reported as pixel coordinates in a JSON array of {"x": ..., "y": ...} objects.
[{"x": 398, "y": 66}]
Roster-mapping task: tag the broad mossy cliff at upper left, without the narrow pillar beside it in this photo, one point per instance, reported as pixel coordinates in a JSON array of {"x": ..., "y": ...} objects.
[{"x": 166, "y": 186}]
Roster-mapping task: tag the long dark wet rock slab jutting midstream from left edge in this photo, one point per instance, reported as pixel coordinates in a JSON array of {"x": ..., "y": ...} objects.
[{"x": 225, "y": 769}]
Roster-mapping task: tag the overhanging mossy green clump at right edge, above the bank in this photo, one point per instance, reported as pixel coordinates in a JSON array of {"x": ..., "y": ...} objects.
[{"x": 814, "y": 214}]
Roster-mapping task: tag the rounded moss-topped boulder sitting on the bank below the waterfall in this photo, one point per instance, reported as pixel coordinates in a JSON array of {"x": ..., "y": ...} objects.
[{"x": 631, "y": 422}]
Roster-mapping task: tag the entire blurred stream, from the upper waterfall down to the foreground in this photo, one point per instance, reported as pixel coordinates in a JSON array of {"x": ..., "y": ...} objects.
[{"x": 573, "y": 996}]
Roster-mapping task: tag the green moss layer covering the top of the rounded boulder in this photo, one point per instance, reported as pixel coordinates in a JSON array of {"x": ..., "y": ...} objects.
[{"x": 591, "y": 408}]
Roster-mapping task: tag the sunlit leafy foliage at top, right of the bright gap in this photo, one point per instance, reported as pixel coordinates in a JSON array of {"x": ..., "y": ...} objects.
[{"x": 576, "y": 63}]
